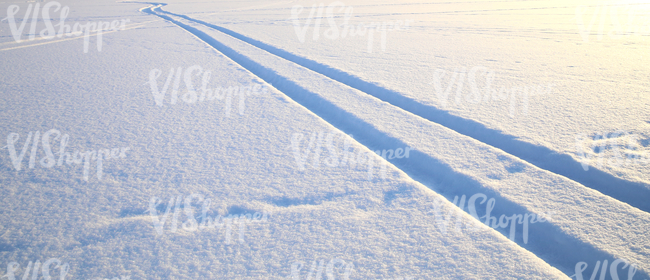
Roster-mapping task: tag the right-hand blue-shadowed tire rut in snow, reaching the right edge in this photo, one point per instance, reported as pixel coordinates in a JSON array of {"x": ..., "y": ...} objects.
[{"x": 635, "y": 194}]
